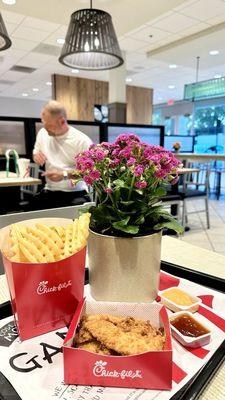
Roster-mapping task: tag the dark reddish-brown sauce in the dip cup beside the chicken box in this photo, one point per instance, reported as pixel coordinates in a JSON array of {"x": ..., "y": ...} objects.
[{"x": 188, "y": 326}]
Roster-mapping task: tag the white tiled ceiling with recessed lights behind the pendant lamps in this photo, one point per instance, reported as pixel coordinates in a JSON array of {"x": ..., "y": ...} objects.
[{"x": 142, "y": 27}]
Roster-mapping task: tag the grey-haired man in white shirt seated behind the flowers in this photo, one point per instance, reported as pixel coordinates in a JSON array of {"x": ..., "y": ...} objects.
[{"x": 56, "y": 146}]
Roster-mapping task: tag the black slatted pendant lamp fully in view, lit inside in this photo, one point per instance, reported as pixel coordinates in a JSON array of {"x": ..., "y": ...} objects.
[{"x": 91, "y": 42}]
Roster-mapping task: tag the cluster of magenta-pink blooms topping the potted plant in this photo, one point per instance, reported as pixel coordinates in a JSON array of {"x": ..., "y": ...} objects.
[{"x": 115, "y": 159}]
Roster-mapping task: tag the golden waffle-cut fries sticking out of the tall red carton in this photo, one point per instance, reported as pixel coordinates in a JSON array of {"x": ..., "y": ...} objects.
[{"x": 44, "y": 244}]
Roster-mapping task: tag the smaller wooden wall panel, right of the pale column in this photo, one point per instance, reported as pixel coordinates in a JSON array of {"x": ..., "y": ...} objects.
[{"x": 139, "y": 105}]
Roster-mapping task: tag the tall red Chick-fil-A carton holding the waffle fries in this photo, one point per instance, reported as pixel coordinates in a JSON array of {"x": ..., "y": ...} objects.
[{"x": 44, "y": 296}]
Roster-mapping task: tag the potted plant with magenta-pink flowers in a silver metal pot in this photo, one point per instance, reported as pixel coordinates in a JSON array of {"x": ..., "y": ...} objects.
[{"x": 128, "y": 177}]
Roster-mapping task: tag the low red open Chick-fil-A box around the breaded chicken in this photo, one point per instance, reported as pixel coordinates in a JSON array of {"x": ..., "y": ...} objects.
[{"x": 150, "y": 370}]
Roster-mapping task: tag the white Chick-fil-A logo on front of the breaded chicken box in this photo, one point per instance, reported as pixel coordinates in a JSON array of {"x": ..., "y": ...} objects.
[{"x": 99, "y": 369}]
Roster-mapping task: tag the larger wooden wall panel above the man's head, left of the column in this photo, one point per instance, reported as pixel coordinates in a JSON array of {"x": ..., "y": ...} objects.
[{"x": 79, "y": 95}]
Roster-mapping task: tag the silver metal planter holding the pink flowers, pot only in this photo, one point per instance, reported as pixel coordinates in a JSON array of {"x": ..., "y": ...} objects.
[{"x": 124, "y": 269}]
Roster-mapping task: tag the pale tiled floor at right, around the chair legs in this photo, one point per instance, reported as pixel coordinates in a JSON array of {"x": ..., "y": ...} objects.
[{"x": 210, "y": 239}]
